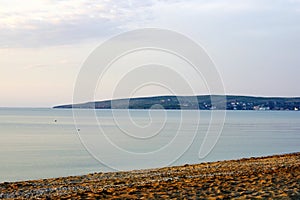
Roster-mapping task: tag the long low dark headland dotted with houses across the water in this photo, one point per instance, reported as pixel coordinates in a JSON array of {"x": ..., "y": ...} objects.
[{"x": 202, "y": 102}]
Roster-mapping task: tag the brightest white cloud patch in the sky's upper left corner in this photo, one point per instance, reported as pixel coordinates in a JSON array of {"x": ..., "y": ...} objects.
[{"x": 20, "y": 13}]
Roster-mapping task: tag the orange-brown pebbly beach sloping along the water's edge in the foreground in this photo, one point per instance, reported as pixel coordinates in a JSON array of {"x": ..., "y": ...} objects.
[{"x": 272, "y": 177}]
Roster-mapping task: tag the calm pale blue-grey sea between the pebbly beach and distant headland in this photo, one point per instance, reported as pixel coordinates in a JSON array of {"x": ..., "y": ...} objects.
[{"x": 43, "y": 143}]
